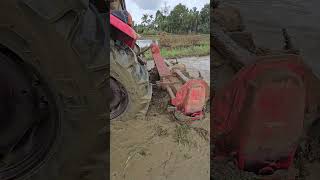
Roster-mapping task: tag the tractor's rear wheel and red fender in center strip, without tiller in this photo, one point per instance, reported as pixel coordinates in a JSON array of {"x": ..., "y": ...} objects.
[{"x": 129, "y": 81}]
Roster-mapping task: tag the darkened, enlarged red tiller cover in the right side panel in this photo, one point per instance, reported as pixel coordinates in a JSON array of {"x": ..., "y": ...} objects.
[{"x": 260, "y": 114}]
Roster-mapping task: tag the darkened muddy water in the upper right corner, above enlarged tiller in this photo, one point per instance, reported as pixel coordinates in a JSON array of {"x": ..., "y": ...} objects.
[{"x": 265, "y": 18}]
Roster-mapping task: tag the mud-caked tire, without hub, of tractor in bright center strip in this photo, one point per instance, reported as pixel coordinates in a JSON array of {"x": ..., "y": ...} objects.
[{"x": 134, "y": 78}]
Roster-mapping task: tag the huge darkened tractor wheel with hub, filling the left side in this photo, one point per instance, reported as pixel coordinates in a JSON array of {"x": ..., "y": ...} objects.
[{"x": 56, "y": 47}]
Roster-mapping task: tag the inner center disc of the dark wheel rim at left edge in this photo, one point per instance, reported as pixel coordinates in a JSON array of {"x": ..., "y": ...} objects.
[{"x": 16, "y": 107}]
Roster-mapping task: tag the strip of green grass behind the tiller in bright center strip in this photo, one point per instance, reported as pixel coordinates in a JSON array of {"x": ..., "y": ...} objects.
[{"x": 179, "y": 52}]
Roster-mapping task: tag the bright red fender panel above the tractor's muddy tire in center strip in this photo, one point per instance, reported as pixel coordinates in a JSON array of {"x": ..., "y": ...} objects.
[{"x": 131, "y": 35}]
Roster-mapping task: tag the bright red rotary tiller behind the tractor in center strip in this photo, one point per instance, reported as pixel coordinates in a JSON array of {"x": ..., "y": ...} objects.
[{"x": 189, "y": 96}]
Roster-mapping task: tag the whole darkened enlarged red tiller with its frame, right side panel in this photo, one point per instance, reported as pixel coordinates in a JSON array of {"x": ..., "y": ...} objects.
[{"x": 264, "y": 100}]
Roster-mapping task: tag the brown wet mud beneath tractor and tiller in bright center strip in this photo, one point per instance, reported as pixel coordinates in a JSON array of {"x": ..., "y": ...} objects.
[{"x": 159, "y": 147}]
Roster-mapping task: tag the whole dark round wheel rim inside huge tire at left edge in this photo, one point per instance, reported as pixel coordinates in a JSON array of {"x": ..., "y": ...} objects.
[{"x": 28, "y": 117}]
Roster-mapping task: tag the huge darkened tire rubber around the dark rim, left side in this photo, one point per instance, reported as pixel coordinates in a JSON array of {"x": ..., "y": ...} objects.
[{"x": 49, "y": 36}]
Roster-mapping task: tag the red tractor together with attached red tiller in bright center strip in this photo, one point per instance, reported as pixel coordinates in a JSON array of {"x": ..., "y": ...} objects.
[{"x": 129, "y": 78}]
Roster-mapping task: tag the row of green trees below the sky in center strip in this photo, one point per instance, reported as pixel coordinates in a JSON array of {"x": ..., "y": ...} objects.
[{"x": 180, "y": 20}]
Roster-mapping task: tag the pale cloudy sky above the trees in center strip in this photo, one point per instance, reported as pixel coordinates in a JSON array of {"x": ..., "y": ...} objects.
[{"x": 139, "y": 7}]
